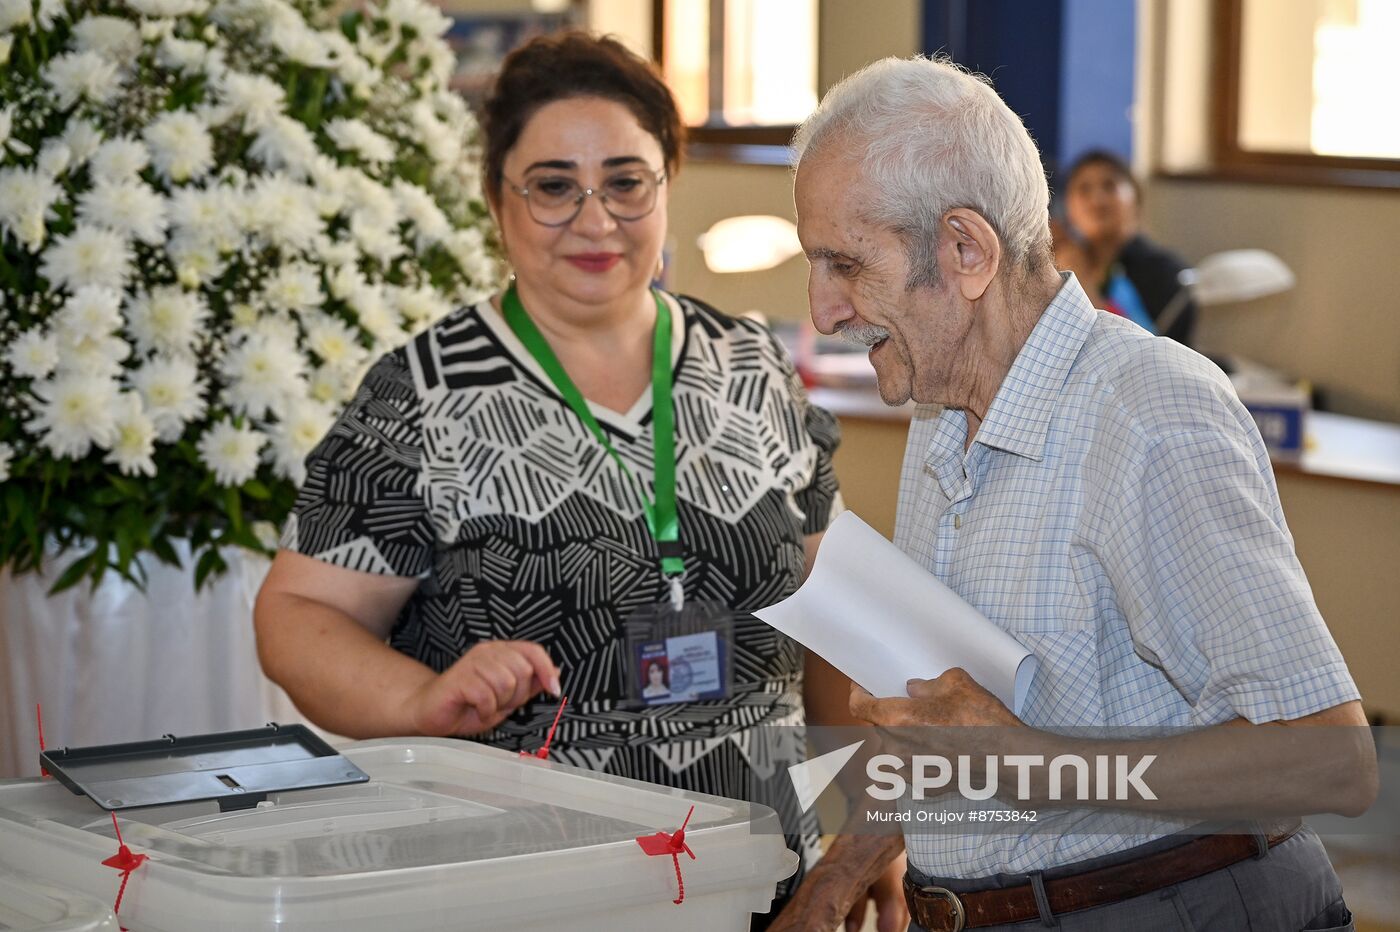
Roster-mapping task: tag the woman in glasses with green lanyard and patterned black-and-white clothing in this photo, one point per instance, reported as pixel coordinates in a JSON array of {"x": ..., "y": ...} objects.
[{"x": 570, "y": 486}]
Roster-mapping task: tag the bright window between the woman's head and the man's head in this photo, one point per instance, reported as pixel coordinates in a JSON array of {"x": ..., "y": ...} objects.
[{"x": 743, "y": 71}]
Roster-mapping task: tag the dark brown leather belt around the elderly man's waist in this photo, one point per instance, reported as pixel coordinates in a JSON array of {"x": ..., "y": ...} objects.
[{"x": 941, "y": 910}]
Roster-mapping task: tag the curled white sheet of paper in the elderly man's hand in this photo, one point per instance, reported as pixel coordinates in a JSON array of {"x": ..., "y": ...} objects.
[{"x": 881, "y": 619}]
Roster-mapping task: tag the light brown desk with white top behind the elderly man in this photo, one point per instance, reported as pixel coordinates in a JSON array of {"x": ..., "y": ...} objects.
[{"x": 1342, "y": 500}]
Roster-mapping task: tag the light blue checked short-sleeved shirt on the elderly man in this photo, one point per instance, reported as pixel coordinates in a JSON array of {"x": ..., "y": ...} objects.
[{"x": 1118, "y": 516}]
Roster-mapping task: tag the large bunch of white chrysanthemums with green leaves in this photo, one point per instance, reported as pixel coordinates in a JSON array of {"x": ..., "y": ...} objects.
[{"x": 213, "y": 216}]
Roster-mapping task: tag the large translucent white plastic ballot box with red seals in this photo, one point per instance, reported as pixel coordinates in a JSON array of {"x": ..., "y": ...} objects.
[{"x": 444, "y": 835}]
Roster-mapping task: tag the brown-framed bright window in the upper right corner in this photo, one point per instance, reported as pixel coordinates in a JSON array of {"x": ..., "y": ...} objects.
[{"x": 1305, "y": 92}]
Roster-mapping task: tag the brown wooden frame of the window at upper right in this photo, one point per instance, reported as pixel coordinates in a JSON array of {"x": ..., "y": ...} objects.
[{"x": 1272, "y": 167}]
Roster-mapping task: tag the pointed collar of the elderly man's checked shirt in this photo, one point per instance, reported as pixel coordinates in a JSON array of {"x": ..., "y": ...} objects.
[{"x": 1020, "y": 416}]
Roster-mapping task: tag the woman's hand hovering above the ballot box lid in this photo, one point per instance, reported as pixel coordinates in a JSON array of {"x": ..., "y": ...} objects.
[{"x": 486, "y": 685}]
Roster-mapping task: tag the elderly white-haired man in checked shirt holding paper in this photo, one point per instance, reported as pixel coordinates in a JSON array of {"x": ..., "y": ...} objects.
[{"x": 1098, "y": 493}]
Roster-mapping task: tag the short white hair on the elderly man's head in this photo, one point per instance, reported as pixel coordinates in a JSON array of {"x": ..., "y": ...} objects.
[{"x": 932, "y": 138}]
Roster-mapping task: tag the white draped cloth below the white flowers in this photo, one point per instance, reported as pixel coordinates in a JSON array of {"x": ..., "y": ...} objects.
[{"x": 120, "y": 665}]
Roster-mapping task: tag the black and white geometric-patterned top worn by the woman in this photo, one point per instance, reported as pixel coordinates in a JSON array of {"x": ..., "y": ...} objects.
[{"x": 460, "y": 464}]
